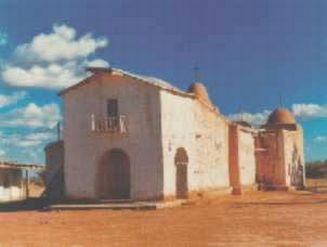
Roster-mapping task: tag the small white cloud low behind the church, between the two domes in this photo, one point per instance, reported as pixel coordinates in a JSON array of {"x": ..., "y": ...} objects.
[{"x": 255, "y": 119}]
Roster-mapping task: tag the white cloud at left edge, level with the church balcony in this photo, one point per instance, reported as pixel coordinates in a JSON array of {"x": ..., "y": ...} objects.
[{"x": 32, "y": 116}]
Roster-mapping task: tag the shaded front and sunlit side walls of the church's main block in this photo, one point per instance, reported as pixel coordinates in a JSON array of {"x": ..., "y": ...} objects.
[{"x": 158, "y": 119}]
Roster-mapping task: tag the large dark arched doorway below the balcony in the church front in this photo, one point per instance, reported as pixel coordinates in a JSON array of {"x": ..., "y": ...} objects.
[{"x": 114, "y": 175}]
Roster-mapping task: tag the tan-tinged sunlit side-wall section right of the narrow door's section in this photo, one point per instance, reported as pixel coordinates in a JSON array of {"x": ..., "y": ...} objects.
[{"x": 212, "y": 149}]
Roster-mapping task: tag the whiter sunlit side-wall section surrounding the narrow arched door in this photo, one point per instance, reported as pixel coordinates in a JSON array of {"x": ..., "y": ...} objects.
[{"x": 177, "y": 123}]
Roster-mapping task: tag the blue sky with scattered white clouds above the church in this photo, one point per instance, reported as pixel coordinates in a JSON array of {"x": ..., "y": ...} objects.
[{"x": 249, "y": 53}]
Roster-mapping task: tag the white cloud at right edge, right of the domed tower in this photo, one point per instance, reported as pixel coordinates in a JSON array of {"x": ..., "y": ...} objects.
[{"x": 309, "y": 110}]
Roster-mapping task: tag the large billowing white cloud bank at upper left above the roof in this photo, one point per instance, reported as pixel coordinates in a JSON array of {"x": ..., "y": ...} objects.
[{"x": 56, "y": 60}]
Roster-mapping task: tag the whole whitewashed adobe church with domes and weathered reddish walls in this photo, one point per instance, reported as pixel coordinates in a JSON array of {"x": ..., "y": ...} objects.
[{"x": 128, "y": 136}]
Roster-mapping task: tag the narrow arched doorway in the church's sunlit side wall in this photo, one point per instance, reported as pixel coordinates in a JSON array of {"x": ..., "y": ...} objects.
[{"x": 181, "y": 164}]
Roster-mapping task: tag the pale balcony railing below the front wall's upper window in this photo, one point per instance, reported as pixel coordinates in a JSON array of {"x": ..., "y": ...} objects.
[{"x": 109, "y": 124}]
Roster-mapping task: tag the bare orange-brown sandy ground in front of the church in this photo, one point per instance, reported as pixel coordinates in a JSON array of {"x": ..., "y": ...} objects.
[{"x": 257, "y": 219}]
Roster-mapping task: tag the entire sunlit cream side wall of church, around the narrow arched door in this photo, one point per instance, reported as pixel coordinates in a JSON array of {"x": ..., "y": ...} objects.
[{"x": 188, "y": 124}]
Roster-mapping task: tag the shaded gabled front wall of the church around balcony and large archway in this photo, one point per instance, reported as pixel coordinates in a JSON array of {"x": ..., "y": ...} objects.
[{"x": 83, "y": 148}]
